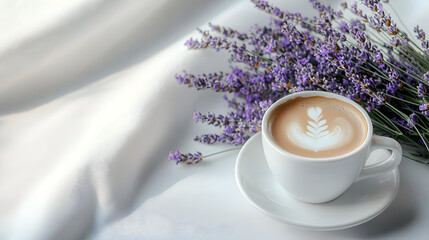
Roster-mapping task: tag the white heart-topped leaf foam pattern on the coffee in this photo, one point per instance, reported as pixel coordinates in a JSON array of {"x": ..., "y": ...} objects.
[{"x": 318, "y": 135}]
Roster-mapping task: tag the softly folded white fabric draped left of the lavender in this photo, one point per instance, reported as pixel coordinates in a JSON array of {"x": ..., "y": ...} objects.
[{"x": 87, "y": 97}]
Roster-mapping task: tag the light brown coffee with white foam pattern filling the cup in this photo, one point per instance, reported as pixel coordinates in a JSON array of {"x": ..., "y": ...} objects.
[{"x": 317, "y": 127}]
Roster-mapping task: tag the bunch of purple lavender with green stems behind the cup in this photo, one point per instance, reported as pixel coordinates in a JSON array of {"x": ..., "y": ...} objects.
[{"x": 366, "y": 58}]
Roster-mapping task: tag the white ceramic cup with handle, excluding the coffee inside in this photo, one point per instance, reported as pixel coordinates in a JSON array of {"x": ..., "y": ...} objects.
[{"x": 318, "y": 180}]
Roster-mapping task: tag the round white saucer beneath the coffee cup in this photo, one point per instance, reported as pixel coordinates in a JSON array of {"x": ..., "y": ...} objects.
[{"x": 363, "y": 201}]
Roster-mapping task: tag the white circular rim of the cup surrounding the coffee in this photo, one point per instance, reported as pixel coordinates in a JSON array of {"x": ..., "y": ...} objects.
[{"x": 306, "y": 94}]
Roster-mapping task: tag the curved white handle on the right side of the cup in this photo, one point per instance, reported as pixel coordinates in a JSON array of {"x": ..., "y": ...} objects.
[{"x": 379, "y": 142}]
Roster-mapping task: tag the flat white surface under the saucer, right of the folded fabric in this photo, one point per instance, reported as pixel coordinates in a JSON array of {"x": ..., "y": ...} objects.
[{"x": 204, "y": 202}]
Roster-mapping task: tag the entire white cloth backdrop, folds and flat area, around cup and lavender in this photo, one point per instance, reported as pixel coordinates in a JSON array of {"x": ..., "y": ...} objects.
[{"x": 89, "y": 110}]
